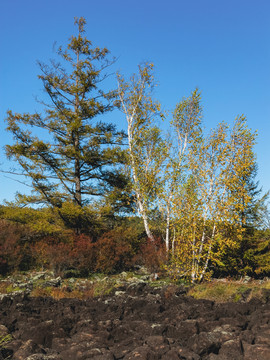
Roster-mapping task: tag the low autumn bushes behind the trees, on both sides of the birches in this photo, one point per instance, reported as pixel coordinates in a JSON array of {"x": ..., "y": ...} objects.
[{"x": 38, "y": 239}]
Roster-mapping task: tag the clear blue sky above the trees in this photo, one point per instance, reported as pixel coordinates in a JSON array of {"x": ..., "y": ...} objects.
[{"x": 220, "y": 46}]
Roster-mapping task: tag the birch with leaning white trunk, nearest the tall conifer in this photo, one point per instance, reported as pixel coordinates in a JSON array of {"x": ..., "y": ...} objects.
[{"x": 146, "y": 148}]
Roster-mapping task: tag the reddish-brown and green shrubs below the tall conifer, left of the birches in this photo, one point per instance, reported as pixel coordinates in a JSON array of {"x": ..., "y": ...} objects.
[{"x": 39, "y": 239}]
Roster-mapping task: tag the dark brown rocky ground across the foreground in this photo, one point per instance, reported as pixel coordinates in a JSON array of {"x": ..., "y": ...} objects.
[{"x": 137, "y": 321}]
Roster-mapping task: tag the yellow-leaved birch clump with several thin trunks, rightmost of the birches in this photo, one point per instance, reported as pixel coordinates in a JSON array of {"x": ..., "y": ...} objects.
[{"x": 214, "y": 196}]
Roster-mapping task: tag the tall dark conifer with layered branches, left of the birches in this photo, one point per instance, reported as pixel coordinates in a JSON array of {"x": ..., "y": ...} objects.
[{"x": 79, "y": 156}]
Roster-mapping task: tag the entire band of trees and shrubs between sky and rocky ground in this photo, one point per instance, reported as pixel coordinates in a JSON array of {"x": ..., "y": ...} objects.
[{"x": 105, "y": 200}]
